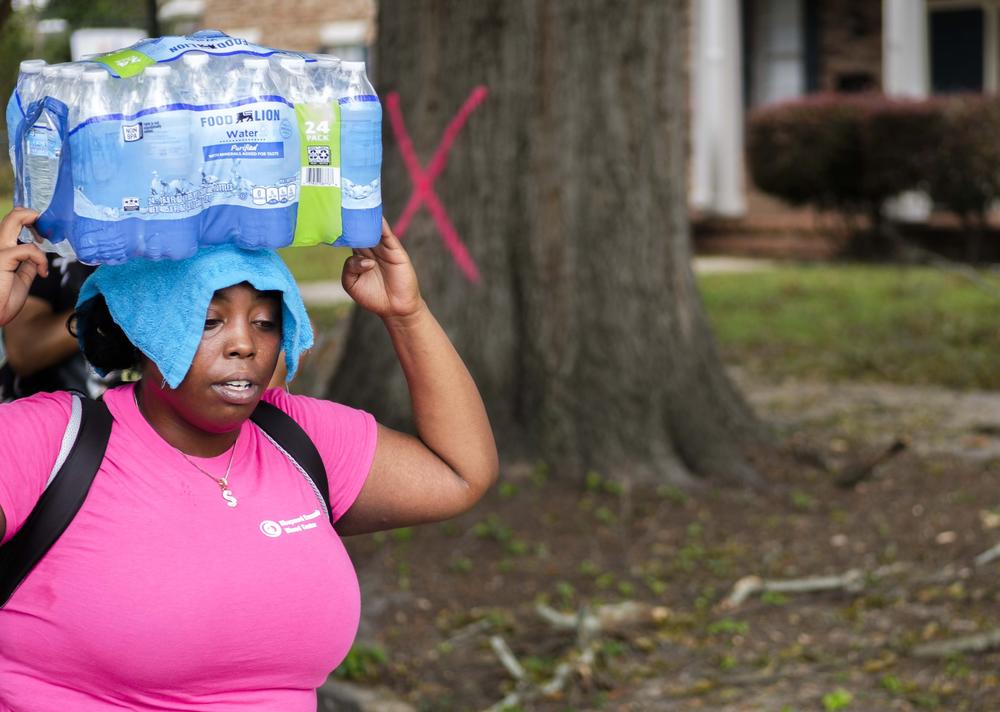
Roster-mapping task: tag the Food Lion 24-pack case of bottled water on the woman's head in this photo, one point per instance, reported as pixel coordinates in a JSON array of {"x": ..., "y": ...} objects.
[{"x": 181, "y": 142}]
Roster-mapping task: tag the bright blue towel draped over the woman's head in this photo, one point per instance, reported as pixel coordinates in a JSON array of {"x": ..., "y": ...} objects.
[{"x": 161, "y": 304}]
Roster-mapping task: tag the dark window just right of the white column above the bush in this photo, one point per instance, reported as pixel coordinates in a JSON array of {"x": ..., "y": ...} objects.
[{"x": 956, "y": 50}]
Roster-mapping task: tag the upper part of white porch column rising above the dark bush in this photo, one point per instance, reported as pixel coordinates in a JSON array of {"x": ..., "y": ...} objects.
[{"x": 905, "y": 68}]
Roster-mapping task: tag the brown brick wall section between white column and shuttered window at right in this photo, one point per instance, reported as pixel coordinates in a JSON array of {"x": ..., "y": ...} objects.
[{"x": 850, "y": 44}]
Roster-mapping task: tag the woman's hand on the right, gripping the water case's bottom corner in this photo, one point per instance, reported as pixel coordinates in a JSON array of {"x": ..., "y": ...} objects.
[{"x": 382, "y": 280}]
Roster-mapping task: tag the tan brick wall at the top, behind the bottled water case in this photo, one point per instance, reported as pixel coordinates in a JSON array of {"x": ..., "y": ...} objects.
[{"x": 291, "y": 25}]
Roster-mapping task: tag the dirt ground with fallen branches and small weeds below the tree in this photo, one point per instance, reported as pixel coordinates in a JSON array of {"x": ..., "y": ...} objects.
[{"x": 666, "y": 561}]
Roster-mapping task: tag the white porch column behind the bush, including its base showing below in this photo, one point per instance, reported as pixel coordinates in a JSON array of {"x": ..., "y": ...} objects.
[{"x": 906, "y": 73}]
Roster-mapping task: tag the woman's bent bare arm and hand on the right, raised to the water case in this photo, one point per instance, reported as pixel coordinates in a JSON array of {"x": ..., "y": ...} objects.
[{"x": 453, "y": 460}]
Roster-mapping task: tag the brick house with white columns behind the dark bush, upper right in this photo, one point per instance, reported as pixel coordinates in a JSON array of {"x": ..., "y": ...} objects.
[{"x": 749, "y": 53}]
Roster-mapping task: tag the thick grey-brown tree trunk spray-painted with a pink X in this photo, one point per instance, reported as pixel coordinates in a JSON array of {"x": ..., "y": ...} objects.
[{"x": 586, "y": 334}]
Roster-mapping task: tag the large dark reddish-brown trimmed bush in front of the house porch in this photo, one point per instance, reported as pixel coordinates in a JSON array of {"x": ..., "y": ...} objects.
[{"x": 851, "y": 153}]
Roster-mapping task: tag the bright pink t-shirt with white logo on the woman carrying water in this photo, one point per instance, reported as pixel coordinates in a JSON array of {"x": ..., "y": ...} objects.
[{"x": 159, "y": 596}]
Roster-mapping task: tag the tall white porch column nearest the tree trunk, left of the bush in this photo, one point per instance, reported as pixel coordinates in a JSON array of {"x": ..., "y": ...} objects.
[{"x": 717, "y": 108}]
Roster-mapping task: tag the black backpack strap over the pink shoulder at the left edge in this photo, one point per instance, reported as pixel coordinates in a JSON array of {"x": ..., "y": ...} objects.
[{"x": 62, "y": 498}]
